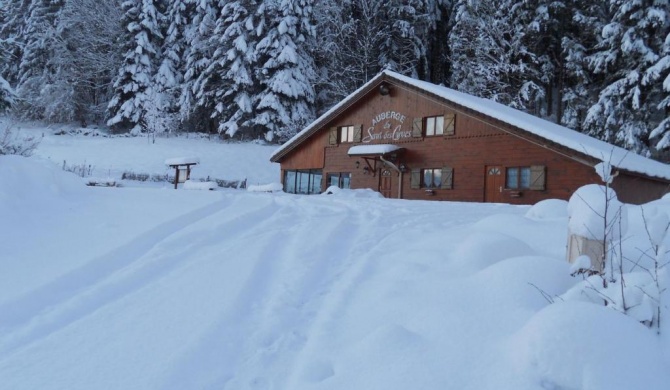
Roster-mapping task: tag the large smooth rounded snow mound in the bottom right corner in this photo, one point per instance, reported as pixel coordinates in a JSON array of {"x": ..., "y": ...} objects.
[{"x": 553, "y": 350}]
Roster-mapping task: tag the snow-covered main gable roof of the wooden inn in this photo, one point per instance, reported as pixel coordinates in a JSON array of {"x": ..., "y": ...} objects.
[{"x": 582, "y": 143}]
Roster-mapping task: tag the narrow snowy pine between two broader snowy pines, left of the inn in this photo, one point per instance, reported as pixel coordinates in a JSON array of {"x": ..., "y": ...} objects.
[{"x": 201, "y": 16}]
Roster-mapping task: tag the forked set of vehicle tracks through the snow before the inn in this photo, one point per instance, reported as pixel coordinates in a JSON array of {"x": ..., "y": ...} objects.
[{"x": 295, "y": 264}]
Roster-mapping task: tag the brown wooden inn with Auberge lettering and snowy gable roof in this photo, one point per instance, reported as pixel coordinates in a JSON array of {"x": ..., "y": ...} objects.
[{"x": 411, "y": 139}]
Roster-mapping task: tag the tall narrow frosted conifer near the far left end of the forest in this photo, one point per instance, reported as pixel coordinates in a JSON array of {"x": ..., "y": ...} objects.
[{"x": 36, "y": 71}]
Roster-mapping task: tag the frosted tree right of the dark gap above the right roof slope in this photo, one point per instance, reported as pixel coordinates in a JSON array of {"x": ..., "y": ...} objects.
[{"x": 490, "y": 53}]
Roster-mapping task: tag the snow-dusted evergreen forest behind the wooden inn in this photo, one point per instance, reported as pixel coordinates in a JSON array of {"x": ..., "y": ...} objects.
[{"x": 249, "y": 69}]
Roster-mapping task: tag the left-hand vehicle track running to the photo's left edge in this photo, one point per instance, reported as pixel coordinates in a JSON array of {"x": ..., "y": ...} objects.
[{"x": 115, "y": 275}]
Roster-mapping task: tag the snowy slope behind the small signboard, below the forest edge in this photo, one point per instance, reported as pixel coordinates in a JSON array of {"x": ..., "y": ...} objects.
[{"x": 111, "y": 157}]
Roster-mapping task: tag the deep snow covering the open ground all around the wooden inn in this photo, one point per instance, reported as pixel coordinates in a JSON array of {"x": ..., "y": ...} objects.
[{"x": 146, "y": 287}]
